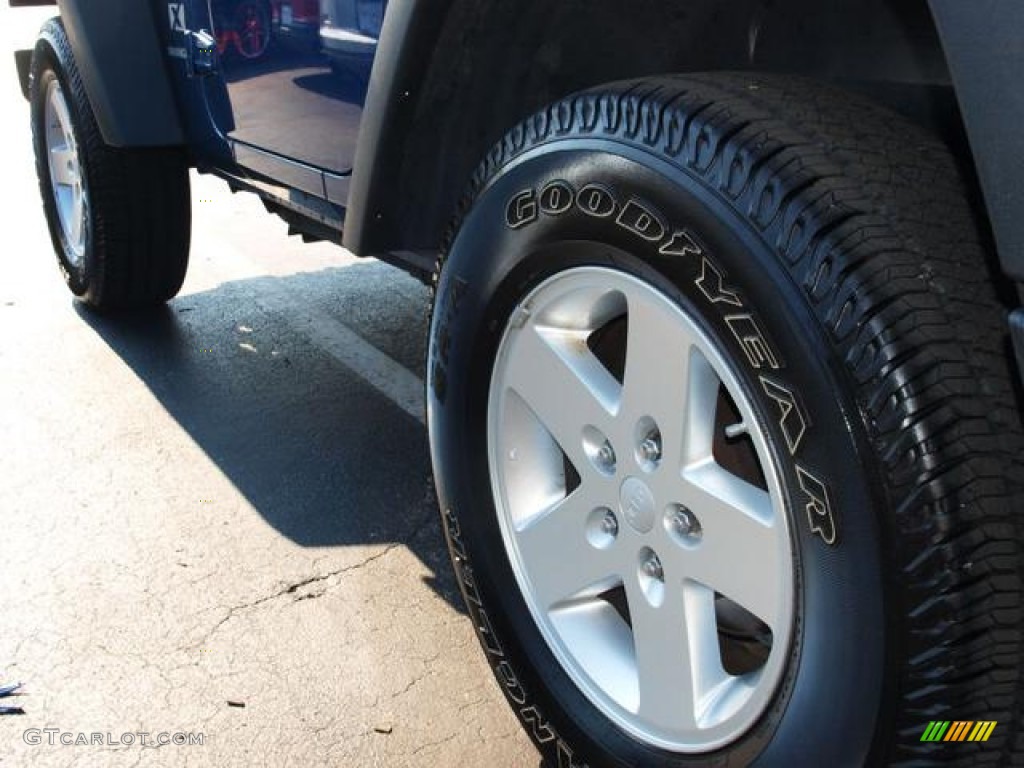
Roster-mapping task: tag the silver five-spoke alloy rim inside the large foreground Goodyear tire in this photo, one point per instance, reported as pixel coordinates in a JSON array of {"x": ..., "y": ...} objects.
[{"x": 654, "y": 515}]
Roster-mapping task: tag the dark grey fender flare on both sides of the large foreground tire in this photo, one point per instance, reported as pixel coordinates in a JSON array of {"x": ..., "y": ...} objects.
[{"x": 977, "y": 40}]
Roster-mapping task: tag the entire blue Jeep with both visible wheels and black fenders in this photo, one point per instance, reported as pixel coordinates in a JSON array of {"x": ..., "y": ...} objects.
[{"x": 723, "y": 404}]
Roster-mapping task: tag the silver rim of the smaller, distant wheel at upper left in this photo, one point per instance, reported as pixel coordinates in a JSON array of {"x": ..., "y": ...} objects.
[{"x": 66, "y": 173}]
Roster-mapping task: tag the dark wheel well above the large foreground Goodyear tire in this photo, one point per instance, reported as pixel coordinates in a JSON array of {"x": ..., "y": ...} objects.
[{"x": 495, "y": 63}]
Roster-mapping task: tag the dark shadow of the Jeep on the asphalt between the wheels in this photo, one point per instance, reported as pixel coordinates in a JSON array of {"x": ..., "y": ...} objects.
[{"x": 325, "y": 458}]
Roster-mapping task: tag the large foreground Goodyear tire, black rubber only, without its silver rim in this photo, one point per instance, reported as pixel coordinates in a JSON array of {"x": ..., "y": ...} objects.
[{"x": 846, "y": 235}]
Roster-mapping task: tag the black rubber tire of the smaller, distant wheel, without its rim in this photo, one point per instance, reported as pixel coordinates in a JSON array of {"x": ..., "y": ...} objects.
[{"x": 138, "y": 218}]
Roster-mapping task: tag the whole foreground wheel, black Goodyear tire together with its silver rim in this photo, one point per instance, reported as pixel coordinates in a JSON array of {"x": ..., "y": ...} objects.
[{"x": 726, "y": 442}]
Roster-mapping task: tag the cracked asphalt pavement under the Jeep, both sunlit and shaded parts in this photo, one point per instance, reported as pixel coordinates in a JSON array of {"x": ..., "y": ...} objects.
[{"x": 225, "y": 503}]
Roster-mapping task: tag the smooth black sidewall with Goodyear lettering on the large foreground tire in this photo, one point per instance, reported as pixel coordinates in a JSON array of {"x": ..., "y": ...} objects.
[{"x": 826, "y": 706}]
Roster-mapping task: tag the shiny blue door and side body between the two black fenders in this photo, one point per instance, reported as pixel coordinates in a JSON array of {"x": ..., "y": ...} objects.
[{"x": 284, "y": 101}]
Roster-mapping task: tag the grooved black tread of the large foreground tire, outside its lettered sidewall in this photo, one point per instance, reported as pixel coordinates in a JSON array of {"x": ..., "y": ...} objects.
[{"x": 872, "y": 219}]
